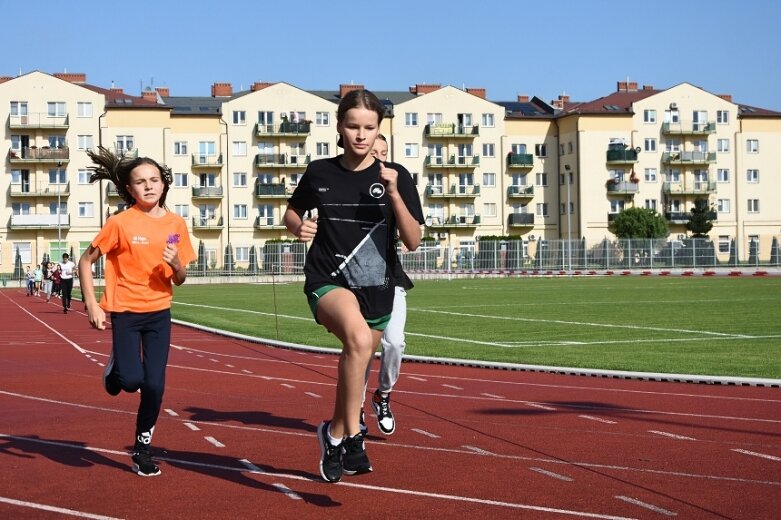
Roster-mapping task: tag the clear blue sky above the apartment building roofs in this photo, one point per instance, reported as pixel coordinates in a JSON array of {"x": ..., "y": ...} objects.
[{"x": 580, "y": 48}]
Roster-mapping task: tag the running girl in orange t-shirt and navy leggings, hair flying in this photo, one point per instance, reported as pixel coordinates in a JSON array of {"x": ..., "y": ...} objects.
[{"x": 147, "y": 250}]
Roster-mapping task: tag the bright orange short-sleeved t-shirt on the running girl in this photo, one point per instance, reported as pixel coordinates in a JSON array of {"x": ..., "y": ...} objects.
[{"x": 137, "y": 277}]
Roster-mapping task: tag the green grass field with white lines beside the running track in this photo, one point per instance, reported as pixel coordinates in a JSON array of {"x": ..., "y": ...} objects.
[{"x": 727, "y": 326}]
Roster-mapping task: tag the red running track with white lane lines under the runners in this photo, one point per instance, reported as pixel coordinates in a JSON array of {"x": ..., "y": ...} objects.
[{"x": 237, "y": 437}]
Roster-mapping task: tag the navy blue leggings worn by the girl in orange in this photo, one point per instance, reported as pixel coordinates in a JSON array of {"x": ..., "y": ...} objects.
[{"x": 141, "y": 343}]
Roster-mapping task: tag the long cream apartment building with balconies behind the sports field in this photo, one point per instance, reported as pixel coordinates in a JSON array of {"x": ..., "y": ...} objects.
[{"x": 523, "y": 168}]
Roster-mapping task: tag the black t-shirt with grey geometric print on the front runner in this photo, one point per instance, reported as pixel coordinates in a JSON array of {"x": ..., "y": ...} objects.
[{"x": 355, "y": 244}]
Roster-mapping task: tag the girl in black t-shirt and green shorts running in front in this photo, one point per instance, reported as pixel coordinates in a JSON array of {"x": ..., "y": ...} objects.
[{"x": 361, "y": 203}]
